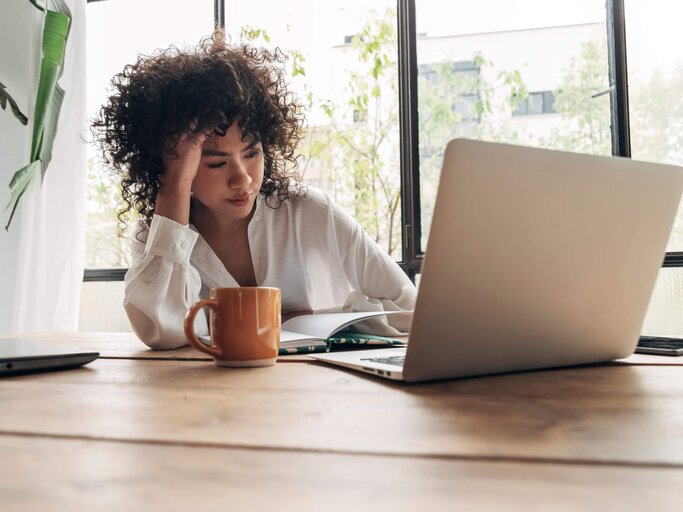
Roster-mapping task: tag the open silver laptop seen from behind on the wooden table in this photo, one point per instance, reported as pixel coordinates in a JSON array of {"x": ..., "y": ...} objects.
[{"x": 536, "y": 259}]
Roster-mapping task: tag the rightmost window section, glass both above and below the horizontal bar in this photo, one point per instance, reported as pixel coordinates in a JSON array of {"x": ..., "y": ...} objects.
[{"x": 655, "y": 102}]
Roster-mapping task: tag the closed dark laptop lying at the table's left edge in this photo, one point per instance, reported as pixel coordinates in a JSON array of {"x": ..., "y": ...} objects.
[{"x": 30, "y": 355}]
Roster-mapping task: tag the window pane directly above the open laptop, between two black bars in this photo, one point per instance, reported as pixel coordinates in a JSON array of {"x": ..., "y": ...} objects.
[{"x": 516, "y": 72}]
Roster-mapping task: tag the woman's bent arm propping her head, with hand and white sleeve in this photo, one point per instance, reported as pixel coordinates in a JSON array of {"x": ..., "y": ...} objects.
[{"x": 161, "y": 284}]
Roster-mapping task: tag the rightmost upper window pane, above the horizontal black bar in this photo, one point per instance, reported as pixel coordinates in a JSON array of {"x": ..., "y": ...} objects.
[{"x": 655, "y": 78}]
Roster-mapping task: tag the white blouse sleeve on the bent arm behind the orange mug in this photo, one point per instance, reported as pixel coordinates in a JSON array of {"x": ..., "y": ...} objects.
[{"x": 161, "y": 285}]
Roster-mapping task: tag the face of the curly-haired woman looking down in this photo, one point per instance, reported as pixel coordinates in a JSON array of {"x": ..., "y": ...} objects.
[{"x": 230, "y": 175}]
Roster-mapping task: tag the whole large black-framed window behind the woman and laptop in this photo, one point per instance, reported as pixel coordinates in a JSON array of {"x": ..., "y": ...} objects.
[{"x": 387, "y": 83}]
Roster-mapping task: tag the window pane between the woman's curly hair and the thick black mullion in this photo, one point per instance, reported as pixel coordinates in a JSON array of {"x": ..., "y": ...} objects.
[{"x": 343, "y": 68}]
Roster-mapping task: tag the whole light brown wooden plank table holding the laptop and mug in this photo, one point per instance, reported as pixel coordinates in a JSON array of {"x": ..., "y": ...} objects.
[{"x": 143, "y": 430}]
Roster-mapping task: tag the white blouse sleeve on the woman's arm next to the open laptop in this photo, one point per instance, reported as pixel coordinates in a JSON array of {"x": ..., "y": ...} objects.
[{"x": 379, "y": 283}]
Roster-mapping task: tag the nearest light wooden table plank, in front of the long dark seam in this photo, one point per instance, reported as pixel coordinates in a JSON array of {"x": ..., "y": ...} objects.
[{"x": 73, "y": 475}]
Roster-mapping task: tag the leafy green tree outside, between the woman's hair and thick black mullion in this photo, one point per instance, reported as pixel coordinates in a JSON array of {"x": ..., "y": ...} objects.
[{"x": 359, "y": 149}]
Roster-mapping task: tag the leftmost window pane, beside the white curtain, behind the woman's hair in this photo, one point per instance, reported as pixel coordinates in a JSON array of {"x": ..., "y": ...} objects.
[{"x": 117, "y": 32}]
